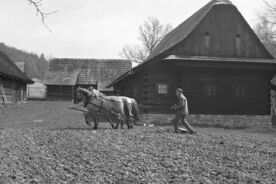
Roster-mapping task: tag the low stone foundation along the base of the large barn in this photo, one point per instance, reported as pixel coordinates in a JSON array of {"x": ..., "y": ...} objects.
[{"x": 223, "y": 121}]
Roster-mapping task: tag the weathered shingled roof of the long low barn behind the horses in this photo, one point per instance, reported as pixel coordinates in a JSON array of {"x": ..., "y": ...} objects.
[{"x": 85, "y": 71}]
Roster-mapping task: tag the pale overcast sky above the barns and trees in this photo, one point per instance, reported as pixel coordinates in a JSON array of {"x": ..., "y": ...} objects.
[{"x": 94, "y": 28}]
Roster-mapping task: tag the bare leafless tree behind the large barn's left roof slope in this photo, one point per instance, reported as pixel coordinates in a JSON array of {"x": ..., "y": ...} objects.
[{"x": 150, "y": 34}]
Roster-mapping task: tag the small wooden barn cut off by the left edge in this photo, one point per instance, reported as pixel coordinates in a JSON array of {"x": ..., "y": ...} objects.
[{"x": 13, "y": 81}]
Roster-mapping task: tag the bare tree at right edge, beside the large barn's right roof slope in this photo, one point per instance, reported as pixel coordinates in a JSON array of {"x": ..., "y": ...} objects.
[{"x": 266, "y": 26}]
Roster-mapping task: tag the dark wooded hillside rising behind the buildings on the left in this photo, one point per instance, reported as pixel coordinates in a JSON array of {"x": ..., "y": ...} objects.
[{"x": 35, "y": 66}]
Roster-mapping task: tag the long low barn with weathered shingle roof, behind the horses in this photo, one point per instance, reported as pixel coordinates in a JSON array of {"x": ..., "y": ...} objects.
[{"x": 64, "y": 75}]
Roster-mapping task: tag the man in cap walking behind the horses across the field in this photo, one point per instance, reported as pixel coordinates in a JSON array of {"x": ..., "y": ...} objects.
[{"x": 181, "y": 111}]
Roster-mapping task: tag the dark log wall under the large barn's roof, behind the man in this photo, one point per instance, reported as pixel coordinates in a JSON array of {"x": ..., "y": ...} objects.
[{"x": 193, "y": 81}]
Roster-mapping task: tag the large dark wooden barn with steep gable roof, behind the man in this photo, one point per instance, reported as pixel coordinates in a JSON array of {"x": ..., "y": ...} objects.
[{"x": 215, "y": 57}]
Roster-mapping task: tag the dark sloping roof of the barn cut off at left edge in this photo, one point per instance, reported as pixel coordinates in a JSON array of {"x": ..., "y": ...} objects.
[{"x": 9, "y": 69}]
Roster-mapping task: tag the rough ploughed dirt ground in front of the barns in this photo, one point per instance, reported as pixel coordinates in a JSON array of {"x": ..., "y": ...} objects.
[{"x": 43, "y": 142}]
